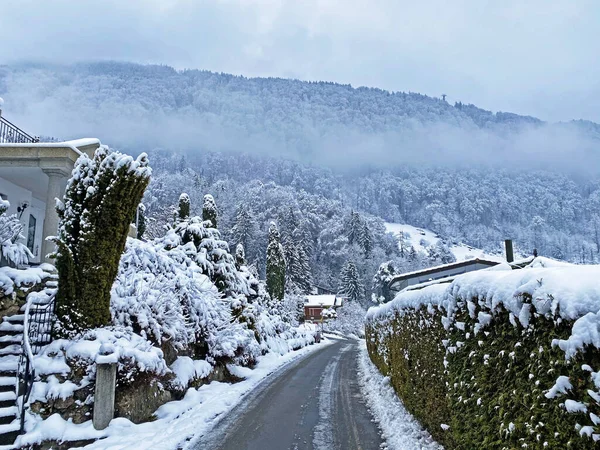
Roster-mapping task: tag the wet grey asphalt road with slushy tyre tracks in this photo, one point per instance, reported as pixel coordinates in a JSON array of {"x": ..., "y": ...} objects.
[{"x": 312, "y": 404}]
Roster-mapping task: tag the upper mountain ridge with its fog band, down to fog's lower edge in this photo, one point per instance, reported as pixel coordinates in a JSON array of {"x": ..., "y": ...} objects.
[{"x": 136, "y": 106}]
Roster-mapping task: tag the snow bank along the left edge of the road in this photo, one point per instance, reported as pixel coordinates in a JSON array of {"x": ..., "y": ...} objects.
[{"x": 177, "y": 421}]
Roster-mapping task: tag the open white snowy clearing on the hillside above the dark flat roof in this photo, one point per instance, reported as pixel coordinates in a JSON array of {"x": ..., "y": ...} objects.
[{"x": 418, "y": 236}]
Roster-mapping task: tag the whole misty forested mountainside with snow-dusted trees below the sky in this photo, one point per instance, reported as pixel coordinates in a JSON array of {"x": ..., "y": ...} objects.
[{"x": 329, "y": 162}]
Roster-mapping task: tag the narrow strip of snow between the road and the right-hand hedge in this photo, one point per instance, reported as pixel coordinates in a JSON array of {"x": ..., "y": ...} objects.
[{"x": 400, "y": 430}]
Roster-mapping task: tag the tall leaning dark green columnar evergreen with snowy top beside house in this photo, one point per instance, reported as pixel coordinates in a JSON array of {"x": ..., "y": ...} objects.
[{"x": 100, "y": 200}]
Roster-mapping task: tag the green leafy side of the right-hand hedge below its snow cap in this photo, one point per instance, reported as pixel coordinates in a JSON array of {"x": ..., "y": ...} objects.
[{"x": 478, "y": 378}]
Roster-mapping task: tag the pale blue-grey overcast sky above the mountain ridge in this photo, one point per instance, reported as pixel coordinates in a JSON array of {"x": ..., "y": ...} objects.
[{"x": 536, "y": 57}]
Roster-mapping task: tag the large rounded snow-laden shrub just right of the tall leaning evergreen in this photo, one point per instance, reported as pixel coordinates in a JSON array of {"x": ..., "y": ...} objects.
[{"x": 163, "y": 295}]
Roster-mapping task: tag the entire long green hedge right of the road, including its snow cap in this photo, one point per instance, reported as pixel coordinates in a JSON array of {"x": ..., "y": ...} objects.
[{"x": 499, "y": 358}]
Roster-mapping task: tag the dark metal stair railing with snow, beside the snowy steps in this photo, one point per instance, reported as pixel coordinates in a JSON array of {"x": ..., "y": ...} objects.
[{"x": 37, "y": 333}]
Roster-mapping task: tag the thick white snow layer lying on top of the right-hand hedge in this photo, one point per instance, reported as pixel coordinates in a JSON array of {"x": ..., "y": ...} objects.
[{"x": 557, "y": 290}]
